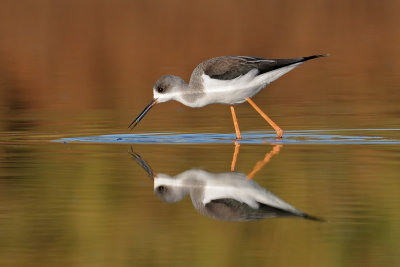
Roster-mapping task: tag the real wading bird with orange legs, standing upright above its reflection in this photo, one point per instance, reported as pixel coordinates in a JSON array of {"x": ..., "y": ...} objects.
[{"x": 226, "y": 80}]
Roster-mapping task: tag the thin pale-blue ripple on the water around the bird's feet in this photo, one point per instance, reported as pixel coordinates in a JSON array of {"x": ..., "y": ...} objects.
[{"x": 335, "y": 136}]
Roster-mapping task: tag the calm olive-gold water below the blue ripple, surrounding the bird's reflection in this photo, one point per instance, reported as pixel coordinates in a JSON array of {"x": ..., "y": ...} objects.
[{"x": 92, "y": 204}]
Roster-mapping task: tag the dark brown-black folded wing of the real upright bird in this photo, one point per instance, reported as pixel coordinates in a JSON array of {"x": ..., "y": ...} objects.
[{"x": 228, "y": 68}]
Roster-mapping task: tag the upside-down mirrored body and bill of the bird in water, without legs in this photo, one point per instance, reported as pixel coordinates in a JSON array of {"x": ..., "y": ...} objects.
[{"x": 223, "y": 196}]
